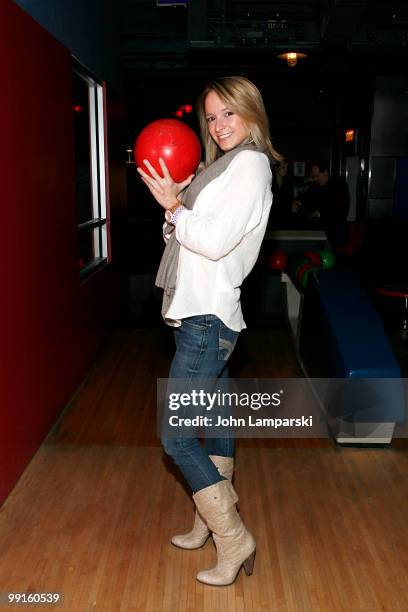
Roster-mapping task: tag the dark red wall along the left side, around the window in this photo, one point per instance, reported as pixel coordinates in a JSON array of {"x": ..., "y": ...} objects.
[{"x": 50, "y": 326}]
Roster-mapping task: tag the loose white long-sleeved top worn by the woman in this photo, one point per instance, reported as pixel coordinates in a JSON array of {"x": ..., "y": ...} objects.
[{"x": 220, "y": 241}]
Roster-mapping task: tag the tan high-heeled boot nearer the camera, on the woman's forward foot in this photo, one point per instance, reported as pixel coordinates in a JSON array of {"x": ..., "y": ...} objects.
[{"x": 235, "y": 545}]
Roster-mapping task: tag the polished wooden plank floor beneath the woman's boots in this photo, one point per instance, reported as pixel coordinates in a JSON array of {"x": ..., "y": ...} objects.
[{"x": 93, "y": 514}]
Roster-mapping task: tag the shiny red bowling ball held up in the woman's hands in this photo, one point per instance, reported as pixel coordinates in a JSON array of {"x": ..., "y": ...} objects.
[{"x": 173, "y": 141}]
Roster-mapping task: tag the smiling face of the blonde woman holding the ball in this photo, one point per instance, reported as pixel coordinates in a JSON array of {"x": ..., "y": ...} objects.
[{"x": 227, "y": 129}]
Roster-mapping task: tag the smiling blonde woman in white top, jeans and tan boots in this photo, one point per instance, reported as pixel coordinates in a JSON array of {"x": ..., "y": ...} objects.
[{"x": 218, "y": 222}]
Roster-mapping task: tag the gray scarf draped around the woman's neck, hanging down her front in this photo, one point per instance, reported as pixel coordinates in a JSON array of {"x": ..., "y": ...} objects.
[{"x": 167, "y": 272}]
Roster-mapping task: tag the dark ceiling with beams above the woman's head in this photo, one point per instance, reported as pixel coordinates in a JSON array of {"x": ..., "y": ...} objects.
[{"x": 222, "y": 35}]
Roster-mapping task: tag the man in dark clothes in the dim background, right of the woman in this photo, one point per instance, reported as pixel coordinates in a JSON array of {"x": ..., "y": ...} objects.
[{"x": 329, "y": 197}]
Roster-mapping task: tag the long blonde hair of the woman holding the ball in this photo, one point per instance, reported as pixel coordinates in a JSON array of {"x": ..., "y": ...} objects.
[{"x": 244, "y": 99}]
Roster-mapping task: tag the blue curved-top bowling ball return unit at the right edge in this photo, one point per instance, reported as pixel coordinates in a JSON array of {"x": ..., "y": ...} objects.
[{"x": 341, "y": 339}]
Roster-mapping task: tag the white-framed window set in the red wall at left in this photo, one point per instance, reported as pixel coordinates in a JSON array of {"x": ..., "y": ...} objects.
[{"x": 91, "y": 191}]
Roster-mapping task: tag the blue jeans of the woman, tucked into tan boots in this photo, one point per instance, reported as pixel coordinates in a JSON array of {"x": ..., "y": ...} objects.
[{"x": 203, "y": 347}]
